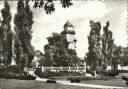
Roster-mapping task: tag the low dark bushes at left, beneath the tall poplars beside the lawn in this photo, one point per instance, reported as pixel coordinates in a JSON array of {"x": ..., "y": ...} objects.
[{"x": 13, "y": 72}]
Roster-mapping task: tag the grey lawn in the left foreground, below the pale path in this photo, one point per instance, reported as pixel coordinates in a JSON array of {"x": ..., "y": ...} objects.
[{"x": 33, "y": 84}]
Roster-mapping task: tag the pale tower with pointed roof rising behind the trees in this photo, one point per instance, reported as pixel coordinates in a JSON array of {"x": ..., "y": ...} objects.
[{"x": 69, "y": 33}]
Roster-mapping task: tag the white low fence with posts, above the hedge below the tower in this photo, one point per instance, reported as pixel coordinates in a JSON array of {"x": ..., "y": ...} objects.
[{"x": 55, "y": 69}]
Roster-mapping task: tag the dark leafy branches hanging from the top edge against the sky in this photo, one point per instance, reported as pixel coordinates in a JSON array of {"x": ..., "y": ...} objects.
[{"x": 48, "y": 5}]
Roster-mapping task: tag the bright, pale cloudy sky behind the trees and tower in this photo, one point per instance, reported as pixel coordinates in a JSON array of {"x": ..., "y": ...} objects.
[{"x": 114, "y": 11}]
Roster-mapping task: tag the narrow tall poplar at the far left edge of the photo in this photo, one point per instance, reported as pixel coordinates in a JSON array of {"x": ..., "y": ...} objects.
[{"x": 6, "y": 35}]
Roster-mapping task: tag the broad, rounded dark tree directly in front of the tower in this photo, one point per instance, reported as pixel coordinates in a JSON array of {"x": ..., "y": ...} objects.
[{"x": 57, "y": 52}]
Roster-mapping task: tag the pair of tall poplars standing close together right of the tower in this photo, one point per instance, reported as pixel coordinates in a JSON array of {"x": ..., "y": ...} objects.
[{"x": 100, "y": 48}]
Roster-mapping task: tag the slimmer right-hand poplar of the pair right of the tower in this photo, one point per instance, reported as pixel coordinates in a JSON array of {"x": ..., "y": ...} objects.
[{"x": 107, "y": 46}]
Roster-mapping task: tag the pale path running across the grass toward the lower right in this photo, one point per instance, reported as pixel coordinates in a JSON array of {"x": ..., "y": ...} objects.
[{"x": 85, "y": 85}]
